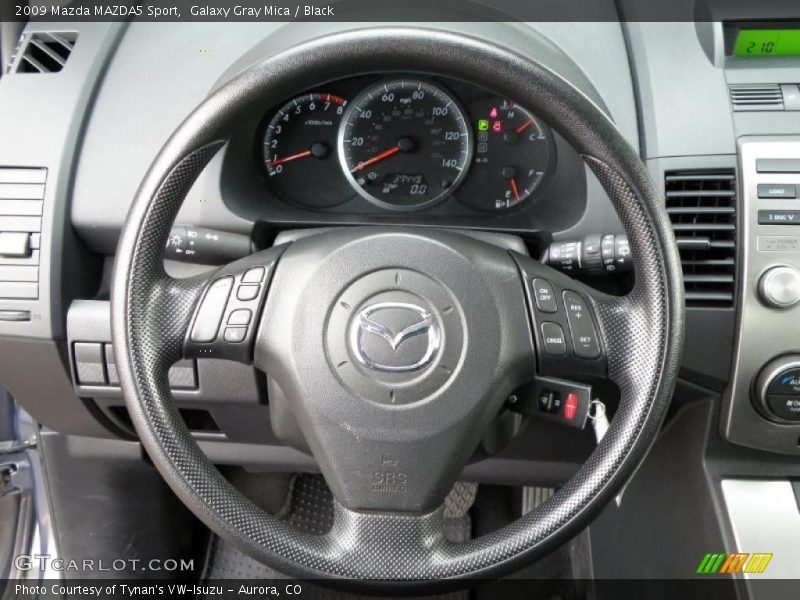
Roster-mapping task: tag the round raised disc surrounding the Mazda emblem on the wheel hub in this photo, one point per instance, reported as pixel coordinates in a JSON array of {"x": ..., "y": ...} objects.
[{"x": 395, "y": 336}]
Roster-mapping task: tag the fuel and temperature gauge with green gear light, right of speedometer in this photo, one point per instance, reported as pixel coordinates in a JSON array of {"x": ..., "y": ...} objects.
[{"x": 514, "y": 153}]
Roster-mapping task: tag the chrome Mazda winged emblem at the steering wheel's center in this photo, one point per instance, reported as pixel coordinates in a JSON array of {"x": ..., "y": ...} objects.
[{"x": 424, "y": 324}]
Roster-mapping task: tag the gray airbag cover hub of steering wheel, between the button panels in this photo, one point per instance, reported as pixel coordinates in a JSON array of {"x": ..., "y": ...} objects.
[{"x": 389, "y": 353}]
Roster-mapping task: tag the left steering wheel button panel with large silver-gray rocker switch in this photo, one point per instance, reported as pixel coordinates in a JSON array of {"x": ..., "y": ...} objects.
[{"x": 226, "y": 315}]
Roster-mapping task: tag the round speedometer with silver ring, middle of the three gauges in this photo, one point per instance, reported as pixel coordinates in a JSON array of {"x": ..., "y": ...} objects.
[{"x": 405, "y": 144}]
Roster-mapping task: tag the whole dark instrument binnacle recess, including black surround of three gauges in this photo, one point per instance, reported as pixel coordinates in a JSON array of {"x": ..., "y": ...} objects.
[{"x": 404, "y": 146}]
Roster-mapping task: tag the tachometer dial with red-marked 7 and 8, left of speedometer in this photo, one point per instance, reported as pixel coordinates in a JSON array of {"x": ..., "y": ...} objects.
[{"x": 299, "y": 151}]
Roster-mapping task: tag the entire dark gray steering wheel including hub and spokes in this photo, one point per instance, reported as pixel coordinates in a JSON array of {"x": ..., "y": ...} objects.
[{"x": 393, "y": 407}]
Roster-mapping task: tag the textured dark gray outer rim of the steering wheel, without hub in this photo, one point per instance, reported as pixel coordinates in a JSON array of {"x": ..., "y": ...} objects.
[{"x": 150, "y": 314}]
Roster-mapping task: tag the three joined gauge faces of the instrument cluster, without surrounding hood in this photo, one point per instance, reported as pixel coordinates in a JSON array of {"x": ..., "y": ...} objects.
[{"x": 405, "y": 143}]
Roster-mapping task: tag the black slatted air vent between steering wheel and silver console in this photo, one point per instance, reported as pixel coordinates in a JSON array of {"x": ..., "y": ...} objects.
[{"x": 702, "y": 208}]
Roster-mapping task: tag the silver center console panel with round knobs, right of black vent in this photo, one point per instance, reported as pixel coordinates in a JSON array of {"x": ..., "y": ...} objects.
[{"x": 762, "y": 405}]
